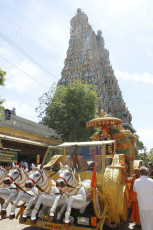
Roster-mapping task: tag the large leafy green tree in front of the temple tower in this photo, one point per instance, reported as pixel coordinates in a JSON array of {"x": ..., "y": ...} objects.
[{"x": 66, "y": 109}]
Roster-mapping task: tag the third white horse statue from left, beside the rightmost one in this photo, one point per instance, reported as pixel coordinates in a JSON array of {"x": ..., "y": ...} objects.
[{"x": 47, "y": 190}]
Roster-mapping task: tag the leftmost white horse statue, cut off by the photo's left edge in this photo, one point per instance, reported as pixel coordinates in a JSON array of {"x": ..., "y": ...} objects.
[{"x": 8, "y": 193}]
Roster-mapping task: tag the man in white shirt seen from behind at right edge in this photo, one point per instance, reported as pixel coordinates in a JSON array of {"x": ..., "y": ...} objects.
[{"x": 144, "y": 188}]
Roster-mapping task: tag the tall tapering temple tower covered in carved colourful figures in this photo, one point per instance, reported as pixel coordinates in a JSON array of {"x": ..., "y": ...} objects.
[{"x": 88, "y": 60}]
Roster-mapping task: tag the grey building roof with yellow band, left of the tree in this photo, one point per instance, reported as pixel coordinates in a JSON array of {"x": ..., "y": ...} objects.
[{"x": 22, "y": 130}]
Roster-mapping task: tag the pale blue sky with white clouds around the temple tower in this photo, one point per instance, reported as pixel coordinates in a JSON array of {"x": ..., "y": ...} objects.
[{"x": 41, "y": 28}]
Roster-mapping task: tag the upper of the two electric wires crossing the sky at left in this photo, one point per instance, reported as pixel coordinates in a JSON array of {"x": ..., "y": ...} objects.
[{"x": 27, "y": 55}]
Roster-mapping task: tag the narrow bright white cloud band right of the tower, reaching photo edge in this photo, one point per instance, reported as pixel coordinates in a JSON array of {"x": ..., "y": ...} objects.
[{"x": 145, "y": 77}]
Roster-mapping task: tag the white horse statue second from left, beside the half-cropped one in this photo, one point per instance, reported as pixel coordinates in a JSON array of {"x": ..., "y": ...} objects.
[{"x": 19, "y": 176}]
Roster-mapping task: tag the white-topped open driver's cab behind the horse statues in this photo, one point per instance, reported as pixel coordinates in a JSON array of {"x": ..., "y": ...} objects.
[{"x": 83, "y": 154}]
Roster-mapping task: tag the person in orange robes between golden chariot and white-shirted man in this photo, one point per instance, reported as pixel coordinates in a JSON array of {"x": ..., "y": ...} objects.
[{"x": 135, "y": 217}]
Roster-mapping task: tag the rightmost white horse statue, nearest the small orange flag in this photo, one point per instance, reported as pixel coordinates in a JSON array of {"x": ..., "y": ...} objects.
[{"x": 76, "y": 193}]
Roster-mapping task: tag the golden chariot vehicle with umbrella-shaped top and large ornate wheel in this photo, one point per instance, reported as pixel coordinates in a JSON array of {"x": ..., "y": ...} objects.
[{"x": 112, "y": 150}]
